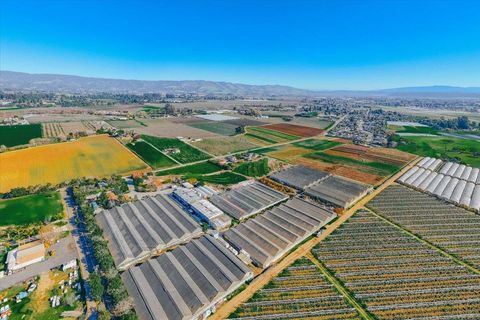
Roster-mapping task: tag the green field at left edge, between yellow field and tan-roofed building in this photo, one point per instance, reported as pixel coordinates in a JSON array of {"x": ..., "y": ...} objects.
[{"x": 31, "y": 209}]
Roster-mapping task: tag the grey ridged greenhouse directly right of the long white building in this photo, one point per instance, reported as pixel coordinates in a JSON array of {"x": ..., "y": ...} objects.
[{"x": 247, "y": 200}]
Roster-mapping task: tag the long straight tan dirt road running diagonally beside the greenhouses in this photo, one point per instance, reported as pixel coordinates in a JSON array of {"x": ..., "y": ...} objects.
[{"x": 261, "y": 280}]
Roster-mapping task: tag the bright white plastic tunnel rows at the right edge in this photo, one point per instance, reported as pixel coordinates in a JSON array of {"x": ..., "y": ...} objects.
[{"x": 455, "y": 183}]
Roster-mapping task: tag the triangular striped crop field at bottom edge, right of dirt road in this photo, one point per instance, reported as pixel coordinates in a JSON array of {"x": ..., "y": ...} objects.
[{"x": 300, "y": 291}]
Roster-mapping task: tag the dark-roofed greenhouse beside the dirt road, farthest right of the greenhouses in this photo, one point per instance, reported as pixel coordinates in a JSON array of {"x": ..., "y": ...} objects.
[{"x": 338, "y": 191}]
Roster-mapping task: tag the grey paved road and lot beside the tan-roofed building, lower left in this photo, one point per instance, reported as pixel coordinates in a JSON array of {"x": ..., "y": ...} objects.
[{"x": 65, "y": 252}]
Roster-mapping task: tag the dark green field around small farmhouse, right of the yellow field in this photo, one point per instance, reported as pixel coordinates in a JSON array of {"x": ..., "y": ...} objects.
[{"x": 187, "y": 153}]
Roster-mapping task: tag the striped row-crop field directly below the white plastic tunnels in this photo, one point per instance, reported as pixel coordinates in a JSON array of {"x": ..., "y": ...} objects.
[{"x": 451, "y": 228}]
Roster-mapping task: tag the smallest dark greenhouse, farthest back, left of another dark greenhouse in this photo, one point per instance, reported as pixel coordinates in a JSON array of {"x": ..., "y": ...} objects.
[{"x": 299, "y": 177}]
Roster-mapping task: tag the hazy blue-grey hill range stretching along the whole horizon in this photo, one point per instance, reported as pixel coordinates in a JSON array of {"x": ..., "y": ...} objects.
[{"x": 19, "y": 81}]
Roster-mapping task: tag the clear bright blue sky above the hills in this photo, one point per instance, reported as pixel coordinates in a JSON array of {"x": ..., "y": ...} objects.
[{"x": 308, "y": 44}]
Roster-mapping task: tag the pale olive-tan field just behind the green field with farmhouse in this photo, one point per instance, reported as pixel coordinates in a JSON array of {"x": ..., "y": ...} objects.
[{"x": 225, "y": 145}]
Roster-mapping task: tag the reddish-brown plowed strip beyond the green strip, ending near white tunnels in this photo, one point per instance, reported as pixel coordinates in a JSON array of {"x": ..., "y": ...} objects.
[{"x": 391, "y": 156}]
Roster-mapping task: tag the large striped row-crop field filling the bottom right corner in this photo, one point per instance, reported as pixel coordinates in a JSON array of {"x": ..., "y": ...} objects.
[{"x": 395, "y": 275}]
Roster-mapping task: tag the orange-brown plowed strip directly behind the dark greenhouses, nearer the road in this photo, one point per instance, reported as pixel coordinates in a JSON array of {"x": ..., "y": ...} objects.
[{"x": 346, "y": 172}]
